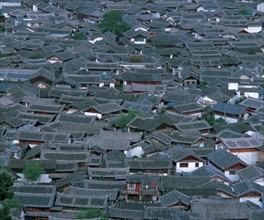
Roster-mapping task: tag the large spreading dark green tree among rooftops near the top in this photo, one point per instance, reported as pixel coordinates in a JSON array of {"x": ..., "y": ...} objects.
[{"x": 113, "y": 22}]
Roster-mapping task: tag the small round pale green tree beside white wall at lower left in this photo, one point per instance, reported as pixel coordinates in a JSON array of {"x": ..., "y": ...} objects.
[{"x": 32, "y": 170}]
